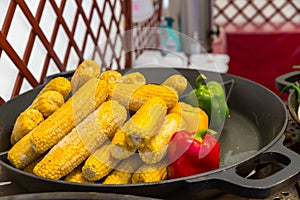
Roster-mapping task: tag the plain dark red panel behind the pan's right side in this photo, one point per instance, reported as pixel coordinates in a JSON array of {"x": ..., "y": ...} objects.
[{"x": 263, "y": 56}]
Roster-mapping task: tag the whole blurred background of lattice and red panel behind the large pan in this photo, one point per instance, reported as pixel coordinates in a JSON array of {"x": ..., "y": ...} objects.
[{"x": 255, "y": 39}]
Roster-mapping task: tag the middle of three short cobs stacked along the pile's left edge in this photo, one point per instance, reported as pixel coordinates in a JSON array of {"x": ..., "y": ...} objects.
[{"x": 48, "y": 102}]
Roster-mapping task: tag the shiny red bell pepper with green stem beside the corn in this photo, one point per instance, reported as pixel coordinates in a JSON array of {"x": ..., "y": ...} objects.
[{"x": 192, "y": 153}]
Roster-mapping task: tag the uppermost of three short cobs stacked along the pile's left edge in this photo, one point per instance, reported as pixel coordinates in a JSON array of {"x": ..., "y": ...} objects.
[{"x": 58, "y": 84}]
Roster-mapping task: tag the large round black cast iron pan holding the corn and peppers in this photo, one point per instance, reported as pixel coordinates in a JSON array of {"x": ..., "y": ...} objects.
[{"x": 254, "y": 163}]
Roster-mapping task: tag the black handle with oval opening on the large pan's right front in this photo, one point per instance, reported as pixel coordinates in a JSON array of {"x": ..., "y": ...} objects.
[{"x": 230, "y": 181}]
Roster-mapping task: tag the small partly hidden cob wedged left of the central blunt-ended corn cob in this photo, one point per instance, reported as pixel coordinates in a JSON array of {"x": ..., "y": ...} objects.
[{"x": 119, "y": 148}]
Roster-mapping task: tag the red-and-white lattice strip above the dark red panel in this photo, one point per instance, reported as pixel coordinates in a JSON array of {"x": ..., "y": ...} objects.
[{"x": 257, "y": 12}]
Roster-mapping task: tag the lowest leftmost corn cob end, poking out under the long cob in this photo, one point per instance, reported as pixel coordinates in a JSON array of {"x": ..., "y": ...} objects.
[{"x": 22, "y": 153}]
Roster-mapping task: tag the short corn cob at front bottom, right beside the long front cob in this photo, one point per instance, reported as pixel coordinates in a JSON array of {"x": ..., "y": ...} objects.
[{"x": 99, "y": 164}]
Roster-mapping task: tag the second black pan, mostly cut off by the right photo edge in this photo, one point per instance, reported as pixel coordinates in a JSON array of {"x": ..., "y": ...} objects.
[{"x": 285, "y": 80}]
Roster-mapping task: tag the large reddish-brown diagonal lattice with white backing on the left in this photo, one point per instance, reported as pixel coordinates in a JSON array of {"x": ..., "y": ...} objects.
[{"x": 39, "y": 38}]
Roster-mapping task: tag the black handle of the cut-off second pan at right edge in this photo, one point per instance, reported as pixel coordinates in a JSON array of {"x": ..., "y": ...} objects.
[{"x": 287, "y": 79}]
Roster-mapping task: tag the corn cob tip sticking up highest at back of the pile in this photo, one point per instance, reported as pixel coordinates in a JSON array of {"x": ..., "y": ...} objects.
[{"x": 84, "y": 72}]
